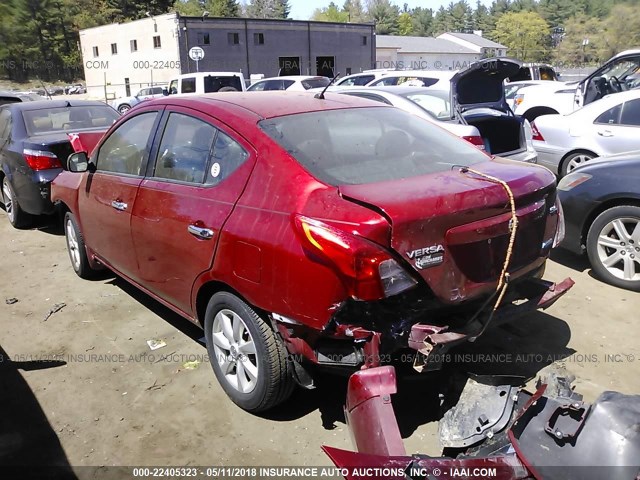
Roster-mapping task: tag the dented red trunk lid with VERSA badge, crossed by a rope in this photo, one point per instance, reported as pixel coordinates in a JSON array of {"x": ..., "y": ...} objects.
[{"x": 452, "y": 228}]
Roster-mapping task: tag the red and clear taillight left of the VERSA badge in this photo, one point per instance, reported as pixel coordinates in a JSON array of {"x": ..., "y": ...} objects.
[{"x": 367, "y": 270}]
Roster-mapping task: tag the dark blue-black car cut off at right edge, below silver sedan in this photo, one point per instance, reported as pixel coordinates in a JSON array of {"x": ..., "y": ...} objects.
[{"x": 601, "y": 203}]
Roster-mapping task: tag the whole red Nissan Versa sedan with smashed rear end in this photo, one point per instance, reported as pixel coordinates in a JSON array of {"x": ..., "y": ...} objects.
[{"x": 298, "y": 229}]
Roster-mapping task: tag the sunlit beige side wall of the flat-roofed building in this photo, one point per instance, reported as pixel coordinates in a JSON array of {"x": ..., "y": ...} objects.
[{"x": 146, "y": 53}]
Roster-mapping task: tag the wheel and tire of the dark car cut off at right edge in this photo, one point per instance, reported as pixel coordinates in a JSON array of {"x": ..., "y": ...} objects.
[{"x": 613, "y": 250}]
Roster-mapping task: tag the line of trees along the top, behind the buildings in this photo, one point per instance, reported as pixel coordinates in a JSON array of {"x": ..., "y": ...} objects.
[{"x": 39, "y": 38}]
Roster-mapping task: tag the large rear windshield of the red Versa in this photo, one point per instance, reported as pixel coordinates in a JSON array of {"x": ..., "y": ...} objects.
[{"x": 367, "y": 145}]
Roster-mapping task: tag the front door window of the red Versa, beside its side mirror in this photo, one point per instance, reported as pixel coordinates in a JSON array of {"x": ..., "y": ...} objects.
[{"x": 126, "y": 147}]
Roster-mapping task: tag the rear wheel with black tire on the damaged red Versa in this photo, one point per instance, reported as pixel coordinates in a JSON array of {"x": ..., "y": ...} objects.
[{"x": 234, "y": 330}]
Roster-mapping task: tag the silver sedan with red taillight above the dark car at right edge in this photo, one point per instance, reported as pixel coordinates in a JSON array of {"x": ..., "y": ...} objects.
[{"x": 604, "y": 127}]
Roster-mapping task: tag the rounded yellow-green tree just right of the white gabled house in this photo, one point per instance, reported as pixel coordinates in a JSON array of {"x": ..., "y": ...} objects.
[{"x": 526, "y": 34}]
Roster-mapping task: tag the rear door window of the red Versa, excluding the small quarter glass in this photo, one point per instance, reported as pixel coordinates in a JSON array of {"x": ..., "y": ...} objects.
[{"x": 184, "y": 149}]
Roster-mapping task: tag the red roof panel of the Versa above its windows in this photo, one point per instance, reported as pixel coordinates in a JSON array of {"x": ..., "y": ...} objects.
[{"x": 266, "y": 104}]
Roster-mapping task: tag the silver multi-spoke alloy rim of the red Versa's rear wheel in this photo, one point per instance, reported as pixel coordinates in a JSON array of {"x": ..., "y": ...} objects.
[{"x": 235, "y": 351}]
